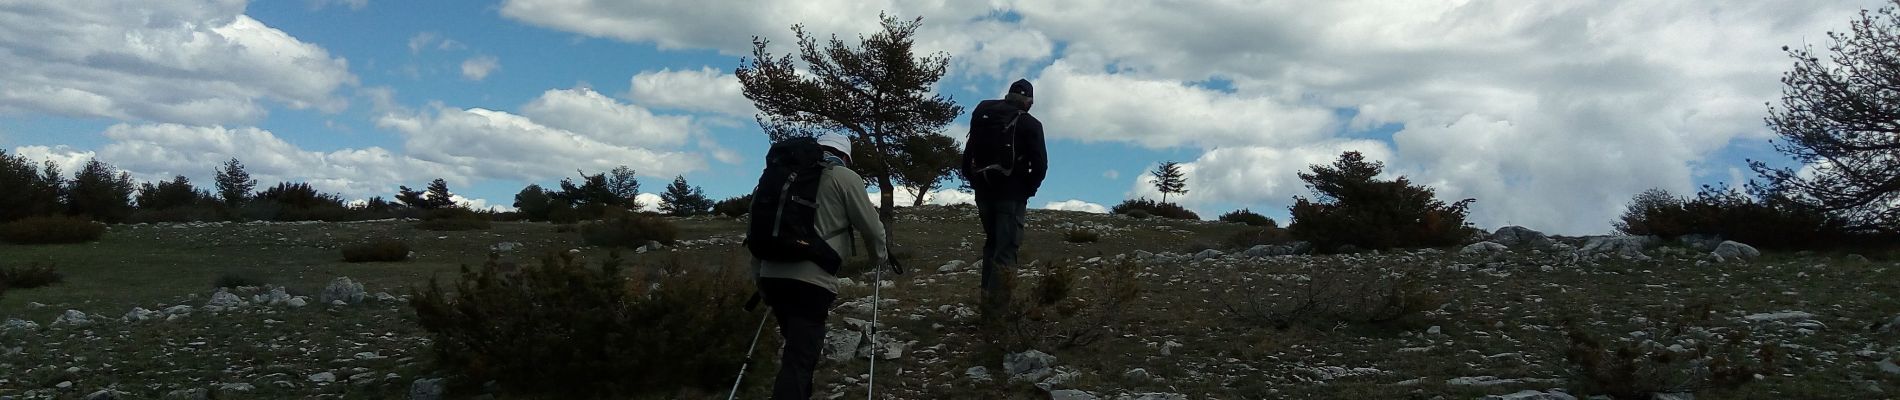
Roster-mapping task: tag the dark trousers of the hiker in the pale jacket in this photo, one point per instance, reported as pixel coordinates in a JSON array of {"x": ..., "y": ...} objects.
[{"x": 801, "y": 310}]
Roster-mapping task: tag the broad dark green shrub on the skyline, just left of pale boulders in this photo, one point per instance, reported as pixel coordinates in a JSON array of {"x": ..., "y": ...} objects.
[{"x": 1356, "y": 209}]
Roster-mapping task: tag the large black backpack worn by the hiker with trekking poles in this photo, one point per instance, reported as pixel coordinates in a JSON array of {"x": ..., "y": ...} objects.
[{"x": 786, "y": 208}]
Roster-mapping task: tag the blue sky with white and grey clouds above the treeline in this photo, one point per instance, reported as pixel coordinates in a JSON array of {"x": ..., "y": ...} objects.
[{"x": 1549, "y": 113}]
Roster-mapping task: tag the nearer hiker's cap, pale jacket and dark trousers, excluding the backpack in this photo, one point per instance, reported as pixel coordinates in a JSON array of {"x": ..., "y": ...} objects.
[{"x": 801, "y": 293}]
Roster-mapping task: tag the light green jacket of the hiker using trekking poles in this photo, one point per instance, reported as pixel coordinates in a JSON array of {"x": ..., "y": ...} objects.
[{"x": 845, "y": 213}]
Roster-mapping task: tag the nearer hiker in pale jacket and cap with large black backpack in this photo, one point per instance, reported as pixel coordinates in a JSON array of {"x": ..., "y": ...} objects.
[{"x": 808, "y": 211}]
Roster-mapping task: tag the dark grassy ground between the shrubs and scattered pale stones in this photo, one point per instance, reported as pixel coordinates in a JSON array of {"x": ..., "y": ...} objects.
[{"x": 1496, "y": 318}]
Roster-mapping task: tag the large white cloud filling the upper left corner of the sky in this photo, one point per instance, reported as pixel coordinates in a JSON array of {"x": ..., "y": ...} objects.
[{"x": 195, "y": 62}]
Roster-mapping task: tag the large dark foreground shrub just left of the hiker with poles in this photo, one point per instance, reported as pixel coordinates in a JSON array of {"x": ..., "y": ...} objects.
[{"x": 582, "y": 333}]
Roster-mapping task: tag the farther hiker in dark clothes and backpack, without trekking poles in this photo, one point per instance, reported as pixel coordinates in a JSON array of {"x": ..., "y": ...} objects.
[{"x": 1004, "y": 162}]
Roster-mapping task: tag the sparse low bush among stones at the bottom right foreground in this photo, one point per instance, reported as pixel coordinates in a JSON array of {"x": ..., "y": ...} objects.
[{"x": 1624, "y": 367}]
